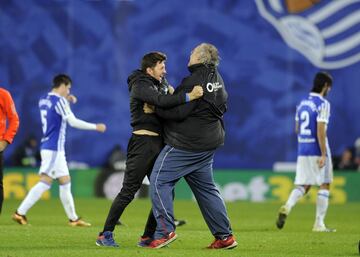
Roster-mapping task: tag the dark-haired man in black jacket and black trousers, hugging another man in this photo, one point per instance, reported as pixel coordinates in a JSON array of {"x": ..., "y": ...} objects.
[{"x": 146, "y": 141}]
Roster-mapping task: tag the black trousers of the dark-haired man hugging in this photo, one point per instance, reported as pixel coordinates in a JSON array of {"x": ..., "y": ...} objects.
[{"x": 142, "y": 152}]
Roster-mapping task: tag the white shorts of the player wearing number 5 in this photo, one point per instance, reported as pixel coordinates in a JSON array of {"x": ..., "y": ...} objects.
[{"x": 53, "y": 164}]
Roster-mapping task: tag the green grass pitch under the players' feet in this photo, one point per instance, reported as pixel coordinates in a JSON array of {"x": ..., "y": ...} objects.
[{"x": 253, "y": 225}]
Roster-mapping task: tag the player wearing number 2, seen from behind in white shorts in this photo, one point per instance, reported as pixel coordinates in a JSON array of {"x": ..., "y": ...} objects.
[{"x": 314, "y": 166}]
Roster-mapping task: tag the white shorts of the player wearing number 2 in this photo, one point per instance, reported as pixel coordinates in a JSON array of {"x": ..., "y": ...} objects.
[{"x": 309, "y": 173}]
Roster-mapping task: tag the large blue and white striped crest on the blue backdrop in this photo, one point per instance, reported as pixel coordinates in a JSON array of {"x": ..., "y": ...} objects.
[{"x": 326, "y": 32}]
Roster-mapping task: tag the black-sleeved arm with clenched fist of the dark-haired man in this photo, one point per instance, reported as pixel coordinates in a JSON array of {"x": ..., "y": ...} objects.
[{"x": 151, "y": 96}]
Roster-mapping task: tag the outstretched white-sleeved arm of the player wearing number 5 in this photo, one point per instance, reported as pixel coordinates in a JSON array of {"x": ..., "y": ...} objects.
[{"x": 63, "y": 108}]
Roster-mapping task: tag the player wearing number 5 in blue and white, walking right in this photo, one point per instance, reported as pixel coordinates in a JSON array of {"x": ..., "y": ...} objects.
[{"x": 55, "y": 113}]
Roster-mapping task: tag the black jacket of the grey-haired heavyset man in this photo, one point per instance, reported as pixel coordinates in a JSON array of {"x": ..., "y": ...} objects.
[{"x": 198, "y": 125}]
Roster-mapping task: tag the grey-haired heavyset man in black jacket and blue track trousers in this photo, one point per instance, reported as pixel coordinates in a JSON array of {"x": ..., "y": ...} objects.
[{"x": 192, "y": 133}]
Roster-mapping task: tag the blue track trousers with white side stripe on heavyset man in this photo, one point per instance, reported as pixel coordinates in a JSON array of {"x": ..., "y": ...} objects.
[{"x": 196, "y": 167}]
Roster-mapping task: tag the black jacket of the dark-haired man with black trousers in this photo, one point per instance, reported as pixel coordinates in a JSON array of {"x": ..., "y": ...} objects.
[{"x": 145, "y": 89}]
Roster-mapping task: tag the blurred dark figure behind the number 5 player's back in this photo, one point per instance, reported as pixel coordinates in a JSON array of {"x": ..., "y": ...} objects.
[{"x": 27, "y": 154}]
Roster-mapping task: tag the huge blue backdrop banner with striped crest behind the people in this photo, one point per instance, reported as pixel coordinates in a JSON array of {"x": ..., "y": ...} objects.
[{"x": 270, "y": 51}]
